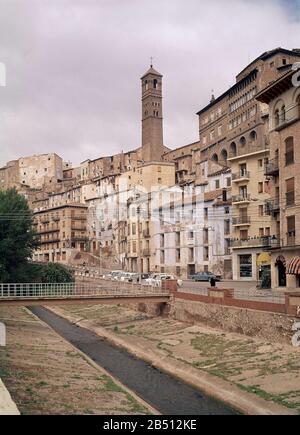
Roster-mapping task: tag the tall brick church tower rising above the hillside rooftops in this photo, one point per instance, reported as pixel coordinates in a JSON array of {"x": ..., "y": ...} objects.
[{"x": 152, "y": 120}]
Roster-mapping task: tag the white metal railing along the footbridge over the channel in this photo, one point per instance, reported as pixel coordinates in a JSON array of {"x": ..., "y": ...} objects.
[{"x": 77, "y": 290}]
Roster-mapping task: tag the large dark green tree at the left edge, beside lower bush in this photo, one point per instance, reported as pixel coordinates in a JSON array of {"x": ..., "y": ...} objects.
[{"x": 18, "y": 238}]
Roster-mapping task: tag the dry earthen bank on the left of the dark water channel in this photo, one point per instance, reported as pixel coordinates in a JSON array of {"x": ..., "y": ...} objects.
[{"x": 45, "y": 375}]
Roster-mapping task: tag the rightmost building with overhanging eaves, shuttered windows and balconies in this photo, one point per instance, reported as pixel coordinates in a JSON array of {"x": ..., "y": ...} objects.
[{"x": 283, "y": 98}]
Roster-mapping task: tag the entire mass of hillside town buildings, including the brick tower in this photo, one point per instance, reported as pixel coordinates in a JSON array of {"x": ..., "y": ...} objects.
[{"x": 226, "y": 203}]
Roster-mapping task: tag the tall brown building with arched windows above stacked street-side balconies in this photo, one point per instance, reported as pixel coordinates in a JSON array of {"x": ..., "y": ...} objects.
[{"x": 234, "y": 133}]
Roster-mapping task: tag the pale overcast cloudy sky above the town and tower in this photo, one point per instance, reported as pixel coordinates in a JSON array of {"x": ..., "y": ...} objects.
[{"x": 74, "y": 67}]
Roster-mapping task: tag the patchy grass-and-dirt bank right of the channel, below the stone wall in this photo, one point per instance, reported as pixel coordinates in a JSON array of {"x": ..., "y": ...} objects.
[{"x": 271, "y": 371}]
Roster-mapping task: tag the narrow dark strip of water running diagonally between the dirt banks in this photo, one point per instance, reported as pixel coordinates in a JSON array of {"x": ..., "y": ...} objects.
[{"x": 165, "y": 393}]
